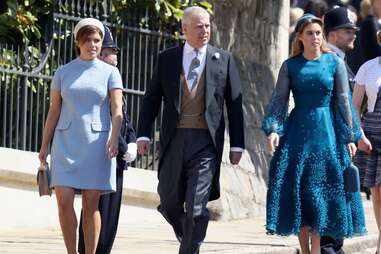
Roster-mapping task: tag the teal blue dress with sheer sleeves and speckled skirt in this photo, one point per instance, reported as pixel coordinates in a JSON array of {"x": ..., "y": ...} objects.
[{"x": 305, "y": 186}]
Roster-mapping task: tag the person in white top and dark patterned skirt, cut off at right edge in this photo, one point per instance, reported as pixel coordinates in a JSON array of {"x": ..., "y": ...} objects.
[{"x": 368, "y": 160}]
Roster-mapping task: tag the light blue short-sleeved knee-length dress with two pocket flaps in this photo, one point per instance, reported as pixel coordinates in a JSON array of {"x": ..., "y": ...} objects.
[{"x": 78, "y": 154}]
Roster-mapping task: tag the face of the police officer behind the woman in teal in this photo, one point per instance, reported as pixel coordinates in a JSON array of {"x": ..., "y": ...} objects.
[{"x": 343, "y": 38}]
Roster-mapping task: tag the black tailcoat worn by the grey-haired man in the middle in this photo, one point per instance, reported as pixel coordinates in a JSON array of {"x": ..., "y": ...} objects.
[{"x": 222, "y": 85}]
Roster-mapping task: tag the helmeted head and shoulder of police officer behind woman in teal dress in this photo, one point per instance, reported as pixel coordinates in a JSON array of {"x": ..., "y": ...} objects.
[{"x": 340, "y": 31}]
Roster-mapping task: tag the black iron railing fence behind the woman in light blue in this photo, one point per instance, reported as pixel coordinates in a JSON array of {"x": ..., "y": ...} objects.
[{"x": 26, "y": 71}]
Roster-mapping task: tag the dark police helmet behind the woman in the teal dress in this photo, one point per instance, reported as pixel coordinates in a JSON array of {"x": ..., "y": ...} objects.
[{"x": 339, "y": 17}]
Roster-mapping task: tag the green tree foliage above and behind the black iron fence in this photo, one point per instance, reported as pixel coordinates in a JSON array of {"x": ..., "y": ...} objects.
[{"x": 22, "y": 20}]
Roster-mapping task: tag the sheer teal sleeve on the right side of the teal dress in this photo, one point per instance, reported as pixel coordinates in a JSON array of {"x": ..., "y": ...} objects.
[{"x": 347, "y": 124}]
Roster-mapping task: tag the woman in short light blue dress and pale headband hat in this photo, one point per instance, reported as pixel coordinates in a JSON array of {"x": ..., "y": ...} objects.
[{"x": 85, "y": 118}]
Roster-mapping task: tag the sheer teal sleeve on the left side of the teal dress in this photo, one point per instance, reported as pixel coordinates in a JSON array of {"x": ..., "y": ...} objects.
[{"x": 277, "y": 110}]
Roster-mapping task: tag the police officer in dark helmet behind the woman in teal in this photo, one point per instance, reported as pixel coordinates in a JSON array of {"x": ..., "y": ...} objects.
[{"x": 340, "y": 31}]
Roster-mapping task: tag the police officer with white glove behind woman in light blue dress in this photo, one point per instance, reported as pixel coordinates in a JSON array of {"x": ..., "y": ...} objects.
[{"x": 109, "y": 204}]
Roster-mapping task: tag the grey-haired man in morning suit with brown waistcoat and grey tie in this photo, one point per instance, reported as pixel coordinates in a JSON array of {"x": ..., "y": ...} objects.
[{"x": 194, "y": 81}]
